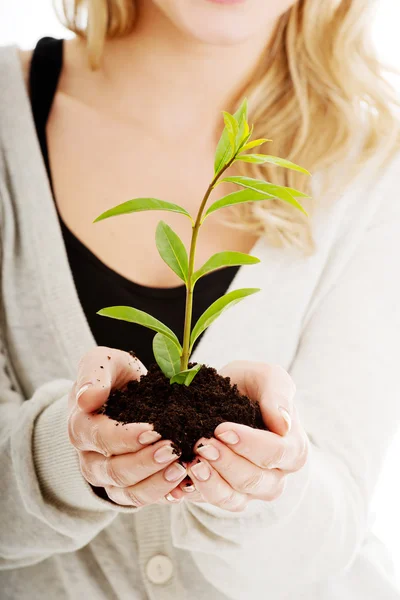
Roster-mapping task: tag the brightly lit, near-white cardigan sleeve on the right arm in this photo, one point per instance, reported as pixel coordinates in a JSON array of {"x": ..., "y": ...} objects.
[{"x": 346, "y": 373}]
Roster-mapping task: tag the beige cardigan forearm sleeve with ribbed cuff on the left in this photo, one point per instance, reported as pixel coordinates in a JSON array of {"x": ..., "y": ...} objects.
[{"x": 46, "y": 505}]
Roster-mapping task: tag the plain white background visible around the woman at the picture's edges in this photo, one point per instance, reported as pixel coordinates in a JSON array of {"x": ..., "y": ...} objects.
[{"x": 24, "y": 21}]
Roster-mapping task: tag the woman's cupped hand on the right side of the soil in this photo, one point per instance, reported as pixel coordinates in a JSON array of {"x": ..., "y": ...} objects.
[{"x": 240, "y": 463}]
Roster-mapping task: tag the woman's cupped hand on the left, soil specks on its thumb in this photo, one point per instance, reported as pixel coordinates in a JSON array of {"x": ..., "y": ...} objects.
[{"x": 128, "y": 461}]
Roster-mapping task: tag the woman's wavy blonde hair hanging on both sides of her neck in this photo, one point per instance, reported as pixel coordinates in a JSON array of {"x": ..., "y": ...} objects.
[{"x": 318, "y": 86}]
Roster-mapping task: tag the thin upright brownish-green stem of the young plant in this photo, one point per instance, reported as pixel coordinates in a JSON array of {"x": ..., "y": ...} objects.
[{"x": 189, "y": 285}]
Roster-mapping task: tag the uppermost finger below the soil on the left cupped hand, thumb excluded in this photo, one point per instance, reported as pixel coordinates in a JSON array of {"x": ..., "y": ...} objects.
[{"x": 98, "y": 433}]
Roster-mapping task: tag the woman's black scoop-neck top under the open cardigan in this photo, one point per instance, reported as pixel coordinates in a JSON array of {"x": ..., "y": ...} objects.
[{"x": 97, "y": 285}]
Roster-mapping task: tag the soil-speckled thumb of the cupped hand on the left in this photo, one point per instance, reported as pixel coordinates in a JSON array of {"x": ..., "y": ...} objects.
[{"x": 100, "y": 370}]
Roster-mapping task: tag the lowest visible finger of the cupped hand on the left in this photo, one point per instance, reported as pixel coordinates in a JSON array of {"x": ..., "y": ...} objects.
[{"x": 149, "y": 491}]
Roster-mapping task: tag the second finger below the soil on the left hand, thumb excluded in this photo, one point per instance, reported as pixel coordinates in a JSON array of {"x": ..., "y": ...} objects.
[{"x": 129, "y": 469}]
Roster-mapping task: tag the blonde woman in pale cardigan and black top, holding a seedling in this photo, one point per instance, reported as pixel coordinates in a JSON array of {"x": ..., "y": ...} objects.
[{"x": 132, "y": 107}]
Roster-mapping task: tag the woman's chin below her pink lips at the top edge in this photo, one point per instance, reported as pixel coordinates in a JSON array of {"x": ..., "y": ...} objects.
[{"x": 223, "y": 22}]
